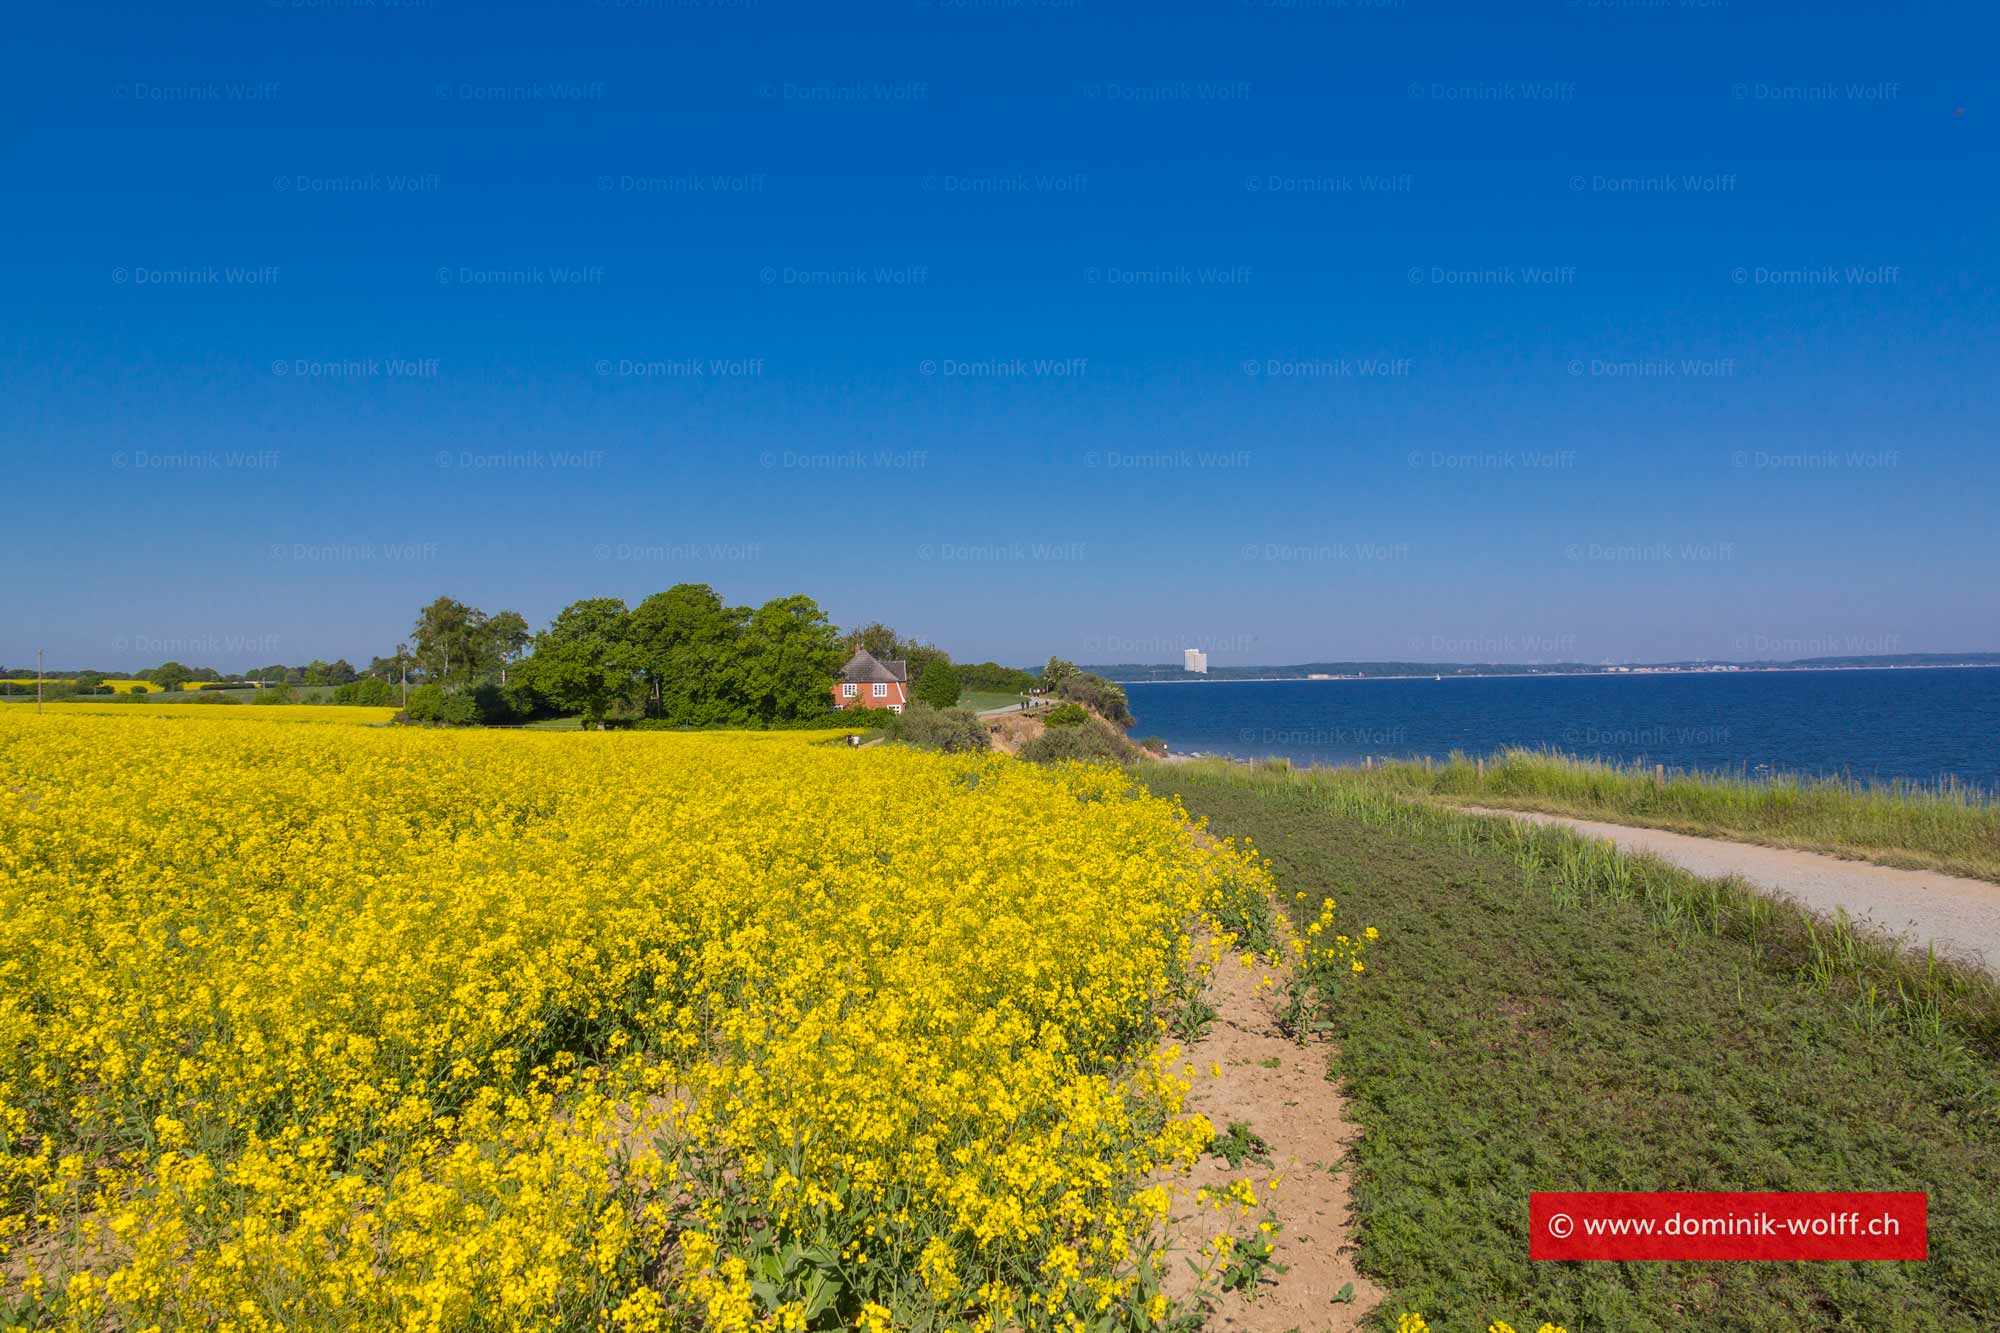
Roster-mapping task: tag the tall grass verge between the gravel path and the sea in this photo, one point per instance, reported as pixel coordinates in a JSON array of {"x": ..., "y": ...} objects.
[{"x": 1935, "y": 828}]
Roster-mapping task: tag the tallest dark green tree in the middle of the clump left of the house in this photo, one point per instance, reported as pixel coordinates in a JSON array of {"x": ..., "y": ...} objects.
[{"x": 687, "y": 647}]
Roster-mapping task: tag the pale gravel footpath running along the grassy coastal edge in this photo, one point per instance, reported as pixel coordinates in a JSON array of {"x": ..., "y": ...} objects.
[{"x": 1927, "y": 908}]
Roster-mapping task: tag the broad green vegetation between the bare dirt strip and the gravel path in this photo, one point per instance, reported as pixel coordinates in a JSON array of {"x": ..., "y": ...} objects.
[{"x": 1547, "y": 1014}]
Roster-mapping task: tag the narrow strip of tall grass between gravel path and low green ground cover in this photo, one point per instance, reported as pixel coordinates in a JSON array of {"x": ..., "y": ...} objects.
[{"x": 1883, "y": 984}]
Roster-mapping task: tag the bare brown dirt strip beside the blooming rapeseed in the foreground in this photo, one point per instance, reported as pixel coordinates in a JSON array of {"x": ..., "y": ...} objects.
[{"x": 1281, "y": 1092}]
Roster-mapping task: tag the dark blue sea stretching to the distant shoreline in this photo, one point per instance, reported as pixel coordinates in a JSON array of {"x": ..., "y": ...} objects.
[{"x": 1871, "y": 726}]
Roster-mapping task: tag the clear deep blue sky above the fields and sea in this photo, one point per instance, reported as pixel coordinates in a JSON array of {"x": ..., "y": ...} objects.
[{"x": 1299, "y": 331}]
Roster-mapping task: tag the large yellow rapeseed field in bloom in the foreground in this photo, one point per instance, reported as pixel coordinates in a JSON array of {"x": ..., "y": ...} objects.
[{"x": 313, "y": 1028}]
